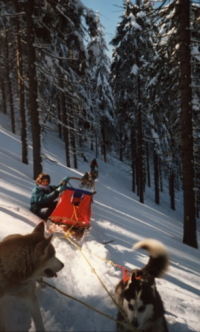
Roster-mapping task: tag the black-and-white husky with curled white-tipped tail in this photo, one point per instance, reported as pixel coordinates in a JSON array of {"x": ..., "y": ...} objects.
[{"x": 139, "y": 302}]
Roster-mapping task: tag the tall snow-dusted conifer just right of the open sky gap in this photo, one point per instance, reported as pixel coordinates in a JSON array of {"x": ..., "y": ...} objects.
[{"x": 133, "y": 51}]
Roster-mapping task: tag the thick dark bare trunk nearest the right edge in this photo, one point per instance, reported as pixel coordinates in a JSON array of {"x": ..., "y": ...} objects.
[{"x": 189, "y": 236}]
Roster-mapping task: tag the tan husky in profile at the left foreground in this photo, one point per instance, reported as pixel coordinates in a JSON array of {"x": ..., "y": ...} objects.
[{"x": 24, "y": 259}]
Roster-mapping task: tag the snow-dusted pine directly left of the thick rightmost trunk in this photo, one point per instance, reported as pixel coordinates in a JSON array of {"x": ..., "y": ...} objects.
[{"x": 163, "y": 90}]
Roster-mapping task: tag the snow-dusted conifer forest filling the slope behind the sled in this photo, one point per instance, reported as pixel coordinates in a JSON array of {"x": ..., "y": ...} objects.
[{"x": 141, "y": 105}]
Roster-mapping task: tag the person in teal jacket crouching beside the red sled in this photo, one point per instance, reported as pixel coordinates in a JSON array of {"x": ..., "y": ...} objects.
[{"x": 44, "y": 197}]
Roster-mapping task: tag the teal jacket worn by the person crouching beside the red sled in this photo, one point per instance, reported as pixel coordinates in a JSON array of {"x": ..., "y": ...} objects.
[{"x": 41, "y": 198}]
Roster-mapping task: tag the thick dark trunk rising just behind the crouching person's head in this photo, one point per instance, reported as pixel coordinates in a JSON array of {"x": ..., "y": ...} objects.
[{"x": 33, "y": 93}]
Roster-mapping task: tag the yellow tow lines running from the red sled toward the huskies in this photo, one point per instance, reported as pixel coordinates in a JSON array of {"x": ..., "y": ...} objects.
[{"x": 104, "y": 286}]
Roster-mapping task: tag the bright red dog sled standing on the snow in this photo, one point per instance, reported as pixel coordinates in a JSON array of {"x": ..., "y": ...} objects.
[{"x": 72, "y": 214}]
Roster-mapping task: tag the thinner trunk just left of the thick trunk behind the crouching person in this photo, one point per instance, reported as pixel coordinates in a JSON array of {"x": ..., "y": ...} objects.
[{"x": 21, "y": 89}]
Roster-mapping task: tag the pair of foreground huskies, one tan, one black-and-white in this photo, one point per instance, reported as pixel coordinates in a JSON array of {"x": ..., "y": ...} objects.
[{"x": 25, "y": 259}]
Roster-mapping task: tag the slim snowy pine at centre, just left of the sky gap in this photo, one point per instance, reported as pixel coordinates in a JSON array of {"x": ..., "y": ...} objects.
[{"x": 103, "y": 105}]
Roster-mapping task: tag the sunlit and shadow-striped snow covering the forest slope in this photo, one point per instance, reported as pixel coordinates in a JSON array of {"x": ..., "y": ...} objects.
[{"x": 118, "y": 221}]
